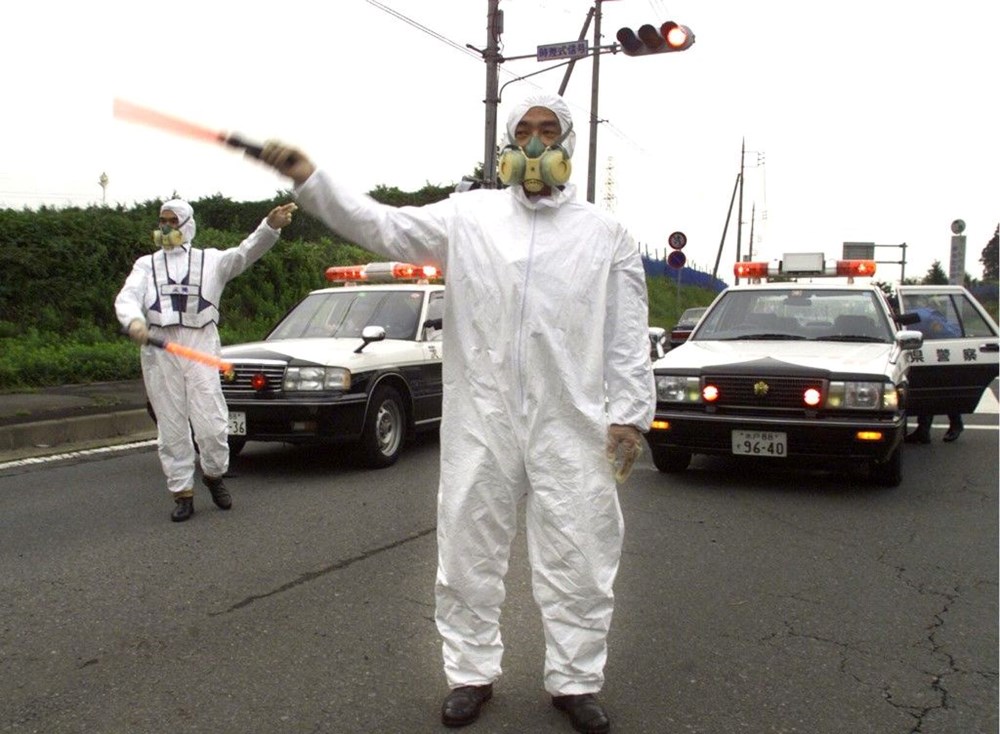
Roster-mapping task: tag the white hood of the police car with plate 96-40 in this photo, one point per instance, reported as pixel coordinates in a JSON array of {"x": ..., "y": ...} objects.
[{"x": 826, "y": 356}]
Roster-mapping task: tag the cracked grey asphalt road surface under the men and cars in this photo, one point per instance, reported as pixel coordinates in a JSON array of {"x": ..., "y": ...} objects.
[{"x": 751, "y": 598}]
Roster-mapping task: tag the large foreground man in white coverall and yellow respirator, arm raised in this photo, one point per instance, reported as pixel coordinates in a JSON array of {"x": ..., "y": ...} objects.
[{"x": 546, "y": 375}]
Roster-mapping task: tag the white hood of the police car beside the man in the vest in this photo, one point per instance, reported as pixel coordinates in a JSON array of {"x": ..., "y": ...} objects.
[{"x": 330, "y": 352}]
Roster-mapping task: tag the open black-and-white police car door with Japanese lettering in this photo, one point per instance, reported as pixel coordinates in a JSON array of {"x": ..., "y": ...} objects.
[{"x": 959, "y": 357}]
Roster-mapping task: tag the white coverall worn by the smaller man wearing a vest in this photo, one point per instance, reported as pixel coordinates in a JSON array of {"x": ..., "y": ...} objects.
[{"x": 181, "y": 390}]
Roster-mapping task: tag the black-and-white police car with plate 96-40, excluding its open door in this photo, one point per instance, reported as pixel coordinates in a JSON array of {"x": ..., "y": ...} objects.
[{"x": 811, "y": 368}]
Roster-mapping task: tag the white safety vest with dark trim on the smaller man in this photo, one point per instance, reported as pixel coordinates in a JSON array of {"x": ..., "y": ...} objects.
[{"x": 182, "y": 302}]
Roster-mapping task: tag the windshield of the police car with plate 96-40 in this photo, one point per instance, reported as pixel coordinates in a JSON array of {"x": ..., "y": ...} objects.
[{"x": 800, "y": 314}]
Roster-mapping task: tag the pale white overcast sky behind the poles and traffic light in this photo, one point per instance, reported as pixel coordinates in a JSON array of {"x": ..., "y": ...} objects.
[{"x": 864, "y": 120}]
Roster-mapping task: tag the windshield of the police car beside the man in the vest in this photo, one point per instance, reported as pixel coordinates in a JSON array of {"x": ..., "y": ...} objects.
[{"x": 345, "y": 312}]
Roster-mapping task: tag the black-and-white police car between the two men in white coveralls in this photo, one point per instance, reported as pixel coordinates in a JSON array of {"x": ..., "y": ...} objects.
[{"x": 355, "y": 363}]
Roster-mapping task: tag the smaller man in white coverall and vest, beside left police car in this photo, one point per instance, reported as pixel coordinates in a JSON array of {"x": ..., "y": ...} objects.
[{"x": 173, "y": 294}]
